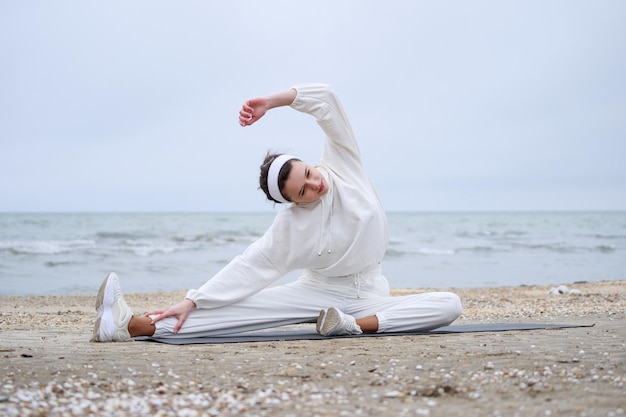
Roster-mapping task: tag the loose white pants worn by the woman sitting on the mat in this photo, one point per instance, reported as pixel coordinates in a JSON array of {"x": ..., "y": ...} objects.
[{"x": 360, "y": 295}]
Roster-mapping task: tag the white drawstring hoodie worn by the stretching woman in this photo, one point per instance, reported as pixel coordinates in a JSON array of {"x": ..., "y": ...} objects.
[{"x": 343, "y": 233}]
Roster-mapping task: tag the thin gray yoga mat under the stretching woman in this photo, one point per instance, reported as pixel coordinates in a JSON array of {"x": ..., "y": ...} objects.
[{"x": 279, "y": 335}]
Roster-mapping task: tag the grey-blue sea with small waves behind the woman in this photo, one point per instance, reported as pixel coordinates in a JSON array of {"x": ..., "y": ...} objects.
[{"x": 70, "y": 253}]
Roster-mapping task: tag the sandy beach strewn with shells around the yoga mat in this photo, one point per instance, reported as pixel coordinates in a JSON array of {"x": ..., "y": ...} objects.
[{"x": 50, "y": 368}]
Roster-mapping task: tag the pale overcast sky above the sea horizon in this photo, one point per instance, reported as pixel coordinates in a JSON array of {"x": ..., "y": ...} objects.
[{"x": 481, "y": 105}]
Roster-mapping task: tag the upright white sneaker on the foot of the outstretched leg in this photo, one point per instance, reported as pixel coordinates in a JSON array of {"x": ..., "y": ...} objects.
[{"x": 113, "y": 312}]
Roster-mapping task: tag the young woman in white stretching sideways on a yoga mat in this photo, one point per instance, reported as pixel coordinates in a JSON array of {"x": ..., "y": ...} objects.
[{"x": 333, "y": 227}]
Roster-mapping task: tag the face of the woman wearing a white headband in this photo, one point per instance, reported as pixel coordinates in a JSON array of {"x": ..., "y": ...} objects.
[{"x": 305, "y": 184}]
